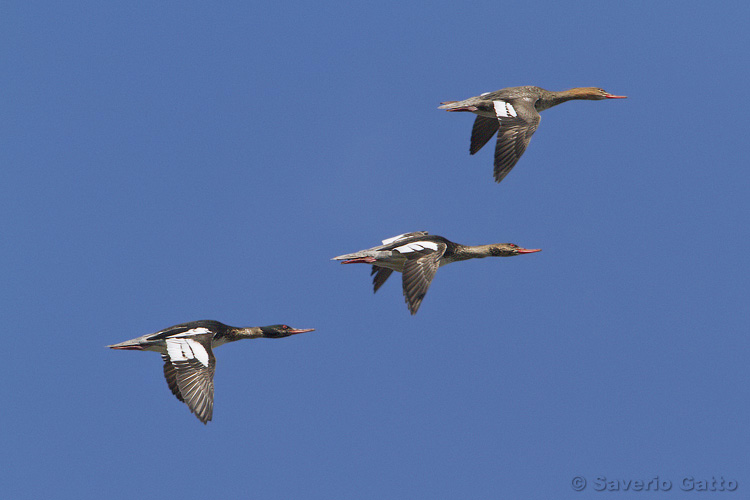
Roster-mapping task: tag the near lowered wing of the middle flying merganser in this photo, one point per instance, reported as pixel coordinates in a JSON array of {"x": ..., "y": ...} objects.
[{"x": 422, "y": 262}]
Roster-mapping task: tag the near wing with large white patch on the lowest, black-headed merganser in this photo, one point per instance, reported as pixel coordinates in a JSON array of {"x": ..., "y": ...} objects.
[{"x": 189, "y": 366}]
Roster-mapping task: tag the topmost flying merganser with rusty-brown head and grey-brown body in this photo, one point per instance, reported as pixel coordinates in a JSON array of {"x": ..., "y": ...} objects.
[{"x": 515, "y": 112}]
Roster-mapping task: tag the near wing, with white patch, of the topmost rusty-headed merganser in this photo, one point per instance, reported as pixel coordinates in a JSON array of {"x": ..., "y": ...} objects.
[{"x": 517, "y": 125}]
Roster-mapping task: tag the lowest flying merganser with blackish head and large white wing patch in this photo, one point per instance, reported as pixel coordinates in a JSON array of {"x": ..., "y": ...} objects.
[{"x": 189, "y": 362}]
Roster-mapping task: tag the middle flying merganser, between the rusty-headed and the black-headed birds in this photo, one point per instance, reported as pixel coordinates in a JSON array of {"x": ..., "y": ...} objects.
[{"x": 418, "y": 255}]
